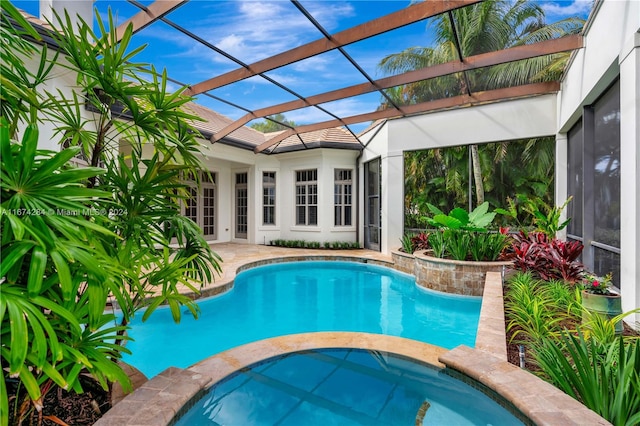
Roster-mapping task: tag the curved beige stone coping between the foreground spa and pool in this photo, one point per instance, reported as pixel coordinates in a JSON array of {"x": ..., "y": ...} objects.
[{"x": 173, "y": 391}]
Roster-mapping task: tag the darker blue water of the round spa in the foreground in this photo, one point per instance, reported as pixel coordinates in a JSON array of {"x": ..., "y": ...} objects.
[{"x": 344, "y": 387}]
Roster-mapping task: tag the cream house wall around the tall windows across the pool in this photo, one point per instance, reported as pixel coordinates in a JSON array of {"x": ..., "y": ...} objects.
[{"x": 226, "y": 161}]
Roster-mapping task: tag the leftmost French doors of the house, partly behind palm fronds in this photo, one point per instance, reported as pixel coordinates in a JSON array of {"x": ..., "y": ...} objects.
[{"x": 201, "y": 206}]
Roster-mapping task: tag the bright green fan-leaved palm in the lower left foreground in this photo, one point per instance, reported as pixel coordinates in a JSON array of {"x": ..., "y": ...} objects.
[{"x": 56, "y": 275}]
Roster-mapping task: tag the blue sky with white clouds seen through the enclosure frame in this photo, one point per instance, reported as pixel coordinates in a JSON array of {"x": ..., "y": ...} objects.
[{"x": 254, "y": 30}]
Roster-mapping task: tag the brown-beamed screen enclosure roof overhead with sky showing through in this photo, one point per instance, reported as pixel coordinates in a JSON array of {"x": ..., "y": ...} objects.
[{"x": 239, "y": 74}]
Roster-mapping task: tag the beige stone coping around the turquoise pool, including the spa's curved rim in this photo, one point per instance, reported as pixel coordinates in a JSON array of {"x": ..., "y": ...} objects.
[{"x": 157, "y": 401}]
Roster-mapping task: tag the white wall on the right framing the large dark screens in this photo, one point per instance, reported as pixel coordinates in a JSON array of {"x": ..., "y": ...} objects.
[{"x": 612, "y": 50}]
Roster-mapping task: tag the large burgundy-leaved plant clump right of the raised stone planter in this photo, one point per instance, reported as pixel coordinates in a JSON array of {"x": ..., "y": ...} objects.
[{"x": 548, "y": 258}]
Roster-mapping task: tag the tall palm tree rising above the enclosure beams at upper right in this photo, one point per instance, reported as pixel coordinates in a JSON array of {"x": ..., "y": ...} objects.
[{"x": 480, "y": 28}]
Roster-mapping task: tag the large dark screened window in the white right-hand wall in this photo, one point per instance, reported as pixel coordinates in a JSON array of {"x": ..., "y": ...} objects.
[{"x": 593, "y": 179}]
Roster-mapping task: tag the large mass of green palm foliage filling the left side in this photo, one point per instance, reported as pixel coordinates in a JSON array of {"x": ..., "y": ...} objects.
[{"x": 72, "y": 238}]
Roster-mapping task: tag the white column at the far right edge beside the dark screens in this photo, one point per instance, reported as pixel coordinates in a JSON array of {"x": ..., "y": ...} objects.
[{"x": 630, "y": 178}]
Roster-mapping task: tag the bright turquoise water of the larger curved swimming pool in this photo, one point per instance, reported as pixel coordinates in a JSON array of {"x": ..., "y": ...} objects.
[{"x": 300, "y": 297}]
